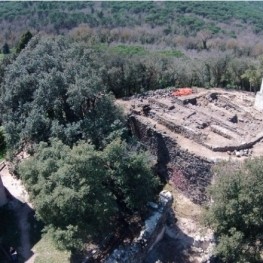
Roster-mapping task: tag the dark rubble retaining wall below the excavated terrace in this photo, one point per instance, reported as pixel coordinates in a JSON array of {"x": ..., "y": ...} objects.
[{"x": 190, "y": 173}]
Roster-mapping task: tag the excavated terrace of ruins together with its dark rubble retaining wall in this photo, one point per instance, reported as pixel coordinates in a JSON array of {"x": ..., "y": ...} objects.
[{"x": 188, "y": 134}]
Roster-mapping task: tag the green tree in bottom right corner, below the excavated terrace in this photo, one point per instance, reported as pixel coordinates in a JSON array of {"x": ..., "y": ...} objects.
[{"x": 236, "y": 213}]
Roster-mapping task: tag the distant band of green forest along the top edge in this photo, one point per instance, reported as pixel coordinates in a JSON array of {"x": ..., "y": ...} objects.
[{"x": 169, "y": 18}]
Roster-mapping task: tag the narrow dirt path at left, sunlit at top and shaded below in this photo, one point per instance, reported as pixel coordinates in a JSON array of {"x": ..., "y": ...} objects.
[{"x": 22, "y": 208}]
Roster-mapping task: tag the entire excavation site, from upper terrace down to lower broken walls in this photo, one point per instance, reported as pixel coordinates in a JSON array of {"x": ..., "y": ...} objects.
[{"x": 188, "y": 131}]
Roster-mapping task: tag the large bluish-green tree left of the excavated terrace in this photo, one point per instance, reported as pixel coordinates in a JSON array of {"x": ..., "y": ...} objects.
[{"x": 54, "y": 88}]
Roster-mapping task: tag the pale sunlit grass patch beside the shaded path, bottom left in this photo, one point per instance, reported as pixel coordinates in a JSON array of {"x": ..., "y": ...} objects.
[{"x": 46, "y": 251}]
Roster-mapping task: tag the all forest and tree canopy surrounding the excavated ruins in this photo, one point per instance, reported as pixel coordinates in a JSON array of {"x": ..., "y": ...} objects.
[{"x": 62, "y": 64}]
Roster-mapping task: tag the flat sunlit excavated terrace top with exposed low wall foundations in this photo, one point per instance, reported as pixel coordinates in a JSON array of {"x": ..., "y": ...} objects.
[{"x": 214, "y": 123}]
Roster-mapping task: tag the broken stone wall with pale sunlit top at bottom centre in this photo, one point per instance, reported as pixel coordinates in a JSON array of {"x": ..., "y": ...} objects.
[{"x": 152, "y": 232}]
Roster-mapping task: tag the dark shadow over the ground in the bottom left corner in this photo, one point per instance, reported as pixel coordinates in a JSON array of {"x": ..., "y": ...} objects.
[{"x": 19, "y": 231}]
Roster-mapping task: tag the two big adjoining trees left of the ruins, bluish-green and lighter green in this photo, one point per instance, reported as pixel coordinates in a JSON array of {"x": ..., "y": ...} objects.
[{"x": 86, "y": 176}]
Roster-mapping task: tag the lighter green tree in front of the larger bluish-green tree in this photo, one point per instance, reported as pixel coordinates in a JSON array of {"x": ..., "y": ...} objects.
[{"x": 79, "y": 193}]
